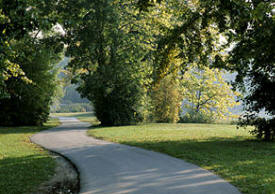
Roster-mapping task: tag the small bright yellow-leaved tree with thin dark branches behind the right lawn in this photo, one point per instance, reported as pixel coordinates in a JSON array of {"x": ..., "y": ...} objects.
[{"x": 206, "y": 93}]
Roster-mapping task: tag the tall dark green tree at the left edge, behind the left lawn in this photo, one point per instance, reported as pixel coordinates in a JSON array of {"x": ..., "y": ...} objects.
[{"x": 28, "y": 48}]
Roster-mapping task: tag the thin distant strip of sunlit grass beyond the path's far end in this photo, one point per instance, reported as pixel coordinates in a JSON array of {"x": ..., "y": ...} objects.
[{"x": 82, "y": 116}]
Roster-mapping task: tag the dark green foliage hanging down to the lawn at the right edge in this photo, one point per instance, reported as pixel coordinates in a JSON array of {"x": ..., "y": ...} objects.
[{"x": 254, "y": 60}]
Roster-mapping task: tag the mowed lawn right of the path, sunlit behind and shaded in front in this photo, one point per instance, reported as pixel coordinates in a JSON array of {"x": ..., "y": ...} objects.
[{"x": 233, "y": 154}]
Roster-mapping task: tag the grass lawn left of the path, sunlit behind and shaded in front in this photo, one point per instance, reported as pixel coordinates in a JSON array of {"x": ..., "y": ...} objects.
[{"x": 23, "y": 166}]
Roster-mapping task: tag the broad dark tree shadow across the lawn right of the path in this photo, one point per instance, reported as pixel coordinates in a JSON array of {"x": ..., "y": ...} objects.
[{"x": 248, "y": 164}]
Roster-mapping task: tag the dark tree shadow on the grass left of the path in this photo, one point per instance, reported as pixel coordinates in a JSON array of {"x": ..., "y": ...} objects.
[{"x": 24, "y": 174}]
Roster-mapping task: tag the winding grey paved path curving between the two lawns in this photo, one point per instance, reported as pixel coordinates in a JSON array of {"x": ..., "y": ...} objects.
[{"x": 113, "y": 168}]
